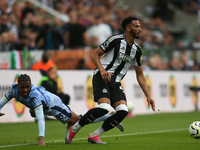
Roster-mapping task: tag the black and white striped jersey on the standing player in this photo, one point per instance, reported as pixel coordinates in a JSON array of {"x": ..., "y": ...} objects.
[{"x": 119, "y": 55}]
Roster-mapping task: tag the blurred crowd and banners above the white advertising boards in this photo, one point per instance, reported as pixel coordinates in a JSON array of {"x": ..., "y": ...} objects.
[{"x": 71, "y": 29}]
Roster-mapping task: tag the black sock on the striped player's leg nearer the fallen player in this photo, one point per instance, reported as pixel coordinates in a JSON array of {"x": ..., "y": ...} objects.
[{"x": 91, "y": 115}]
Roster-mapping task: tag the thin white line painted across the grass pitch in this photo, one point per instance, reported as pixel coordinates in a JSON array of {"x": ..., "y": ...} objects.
[{"x": 161, "y": 131}]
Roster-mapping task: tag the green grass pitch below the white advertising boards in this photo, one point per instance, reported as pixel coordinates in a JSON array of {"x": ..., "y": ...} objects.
[{"x": 143, "y": 132}]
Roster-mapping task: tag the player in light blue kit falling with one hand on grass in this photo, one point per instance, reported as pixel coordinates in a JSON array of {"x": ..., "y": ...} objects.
[{"x": 41, "y": 102}]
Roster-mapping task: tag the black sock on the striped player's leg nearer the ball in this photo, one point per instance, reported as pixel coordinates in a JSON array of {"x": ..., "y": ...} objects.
[{"x": 114, "y": 120}]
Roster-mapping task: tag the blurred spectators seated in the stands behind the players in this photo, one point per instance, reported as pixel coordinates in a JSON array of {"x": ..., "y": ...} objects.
[{"x": 85, "y": 25}]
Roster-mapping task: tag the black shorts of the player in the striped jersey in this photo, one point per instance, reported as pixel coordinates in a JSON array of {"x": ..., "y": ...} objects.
[{"x": 110, "y": 90}]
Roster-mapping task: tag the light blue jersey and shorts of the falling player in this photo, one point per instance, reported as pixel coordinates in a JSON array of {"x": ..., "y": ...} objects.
[{"x": 40, "y": 101}]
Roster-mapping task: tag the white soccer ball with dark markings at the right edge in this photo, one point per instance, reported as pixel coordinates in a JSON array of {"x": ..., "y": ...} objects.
[{"x": 194, "y": 130}]
